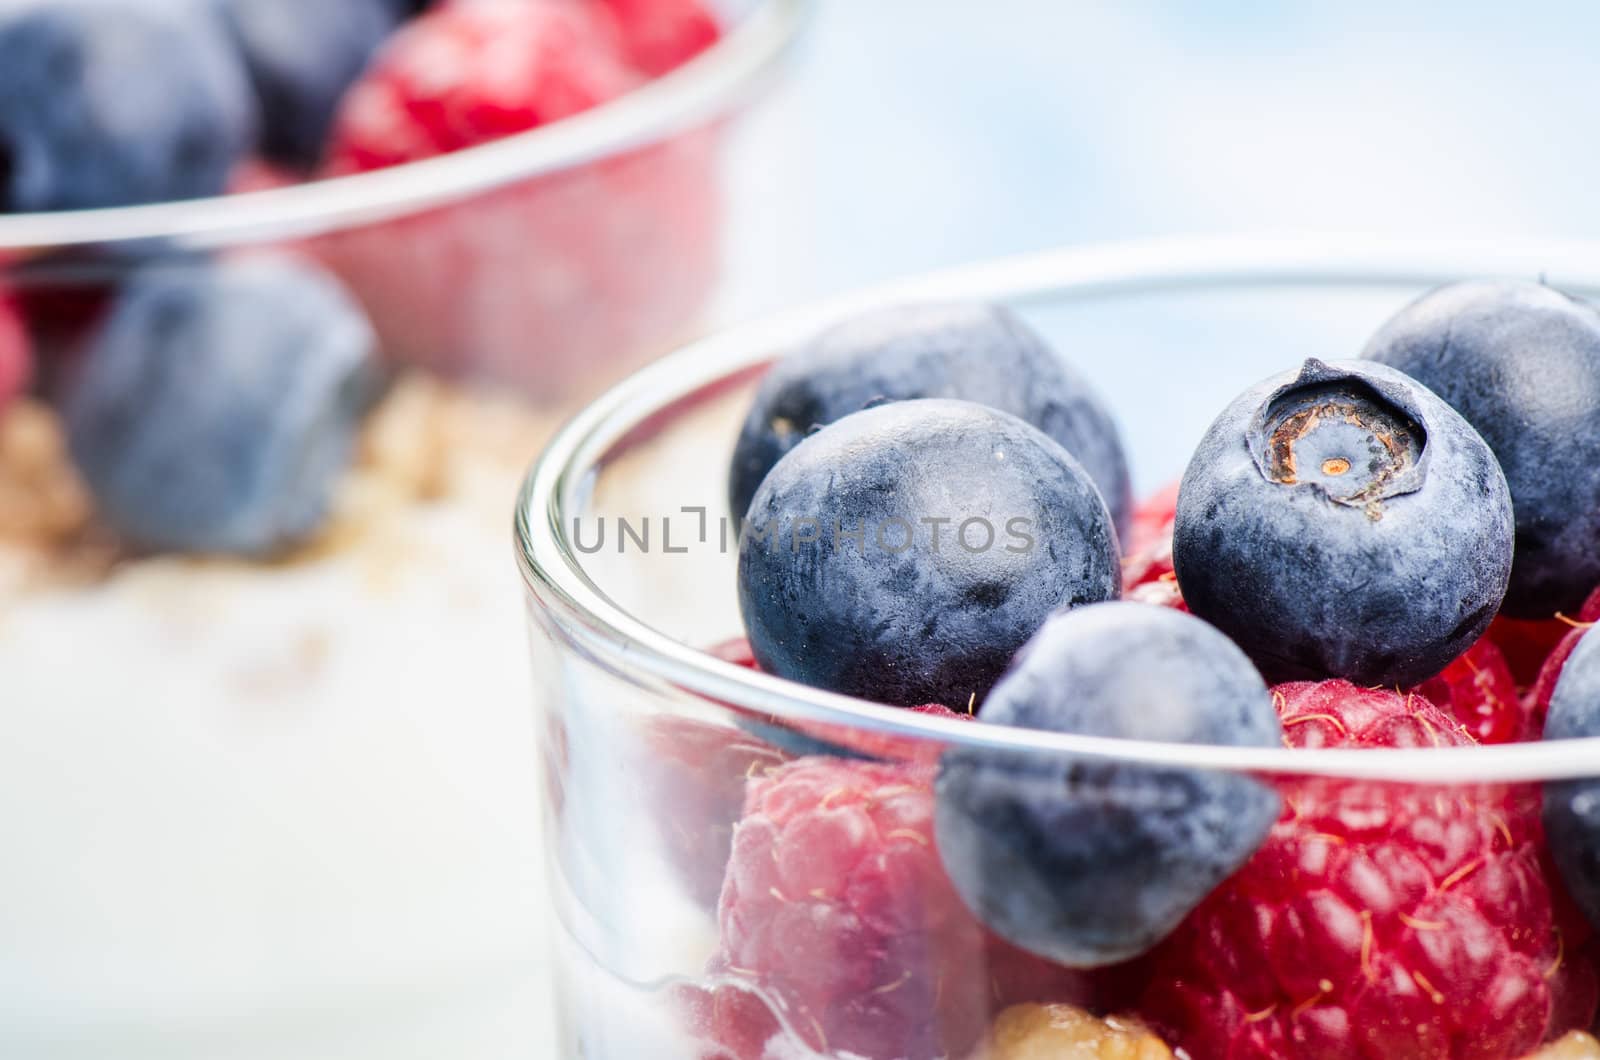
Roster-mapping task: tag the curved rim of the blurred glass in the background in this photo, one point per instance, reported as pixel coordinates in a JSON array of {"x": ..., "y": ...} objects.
[{"x": 702, "y": 90}]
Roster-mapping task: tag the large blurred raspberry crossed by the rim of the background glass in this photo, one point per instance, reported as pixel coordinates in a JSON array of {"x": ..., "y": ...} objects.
[{"x": 546, "y": 281}]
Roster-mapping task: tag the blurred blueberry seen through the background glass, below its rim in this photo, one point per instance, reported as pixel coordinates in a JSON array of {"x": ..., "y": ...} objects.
[{"x": 218, "y": 406}]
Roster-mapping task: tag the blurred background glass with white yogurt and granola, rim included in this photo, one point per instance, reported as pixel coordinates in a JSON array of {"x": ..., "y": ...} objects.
[{"x": 265, "y": 808}]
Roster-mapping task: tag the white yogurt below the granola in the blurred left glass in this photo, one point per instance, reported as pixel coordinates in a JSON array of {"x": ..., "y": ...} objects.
[{"x": 274, "y": 806}]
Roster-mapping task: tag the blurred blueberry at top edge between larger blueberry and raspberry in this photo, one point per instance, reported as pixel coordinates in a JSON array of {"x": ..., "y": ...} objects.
[{"x": 302, "y": 57}]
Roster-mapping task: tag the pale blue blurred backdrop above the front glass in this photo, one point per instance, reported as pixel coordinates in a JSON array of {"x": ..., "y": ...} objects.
[{"x": 919, "y": 134}]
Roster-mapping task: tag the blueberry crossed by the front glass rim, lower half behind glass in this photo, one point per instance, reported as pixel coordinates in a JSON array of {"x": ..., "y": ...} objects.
[{"x": 1089, "y": 862}]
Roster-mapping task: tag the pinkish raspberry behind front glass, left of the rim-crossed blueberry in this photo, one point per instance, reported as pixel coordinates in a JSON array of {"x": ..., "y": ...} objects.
[{"x": 838, "y": 910}]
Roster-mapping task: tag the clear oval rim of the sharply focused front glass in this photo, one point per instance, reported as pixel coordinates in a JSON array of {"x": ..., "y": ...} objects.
[{"x": 604, "y": 632}]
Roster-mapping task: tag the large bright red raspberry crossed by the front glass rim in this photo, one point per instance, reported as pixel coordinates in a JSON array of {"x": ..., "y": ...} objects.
[{"x": 1377, "y": 921}]
